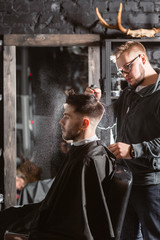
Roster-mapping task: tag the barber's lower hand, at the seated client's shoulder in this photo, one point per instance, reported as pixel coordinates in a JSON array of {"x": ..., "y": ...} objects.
[{"x": 120, "y": 150}]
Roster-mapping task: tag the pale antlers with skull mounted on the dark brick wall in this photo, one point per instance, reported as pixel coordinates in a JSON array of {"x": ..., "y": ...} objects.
[{"x": 138, "y": 33}]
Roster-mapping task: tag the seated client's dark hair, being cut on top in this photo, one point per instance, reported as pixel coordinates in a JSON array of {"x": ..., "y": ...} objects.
[{"x": 85, "y": 104}]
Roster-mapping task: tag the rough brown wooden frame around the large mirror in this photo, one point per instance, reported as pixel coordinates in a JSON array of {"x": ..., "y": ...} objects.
[{"x": 10, "y": 42}]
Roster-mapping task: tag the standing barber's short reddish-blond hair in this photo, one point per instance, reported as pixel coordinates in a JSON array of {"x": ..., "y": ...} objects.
[{"x": 127, "y": 46}]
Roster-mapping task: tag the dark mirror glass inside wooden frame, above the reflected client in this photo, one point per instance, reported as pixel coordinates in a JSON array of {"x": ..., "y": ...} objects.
[{"x": 43, "y": 75}]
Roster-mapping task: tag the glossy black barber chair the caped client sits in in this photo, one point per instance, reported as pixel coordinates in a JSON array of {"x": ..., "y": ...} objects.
[{"x": 117, "y": 196}]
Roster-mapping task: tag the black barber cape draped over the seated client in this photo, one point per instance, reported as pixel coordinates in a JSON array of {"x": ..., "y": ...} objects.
[{"x": 75, "y": 206}]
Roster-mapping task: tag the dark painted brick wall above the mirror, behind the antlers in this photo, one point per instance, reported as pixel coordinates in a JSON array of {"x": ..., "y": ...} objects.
[{"x": 74, "y": 16}]
